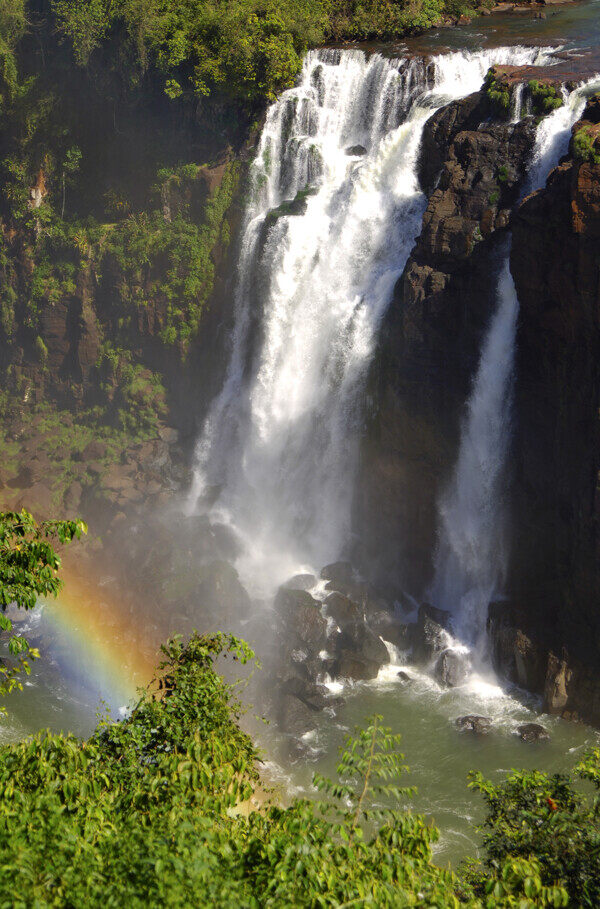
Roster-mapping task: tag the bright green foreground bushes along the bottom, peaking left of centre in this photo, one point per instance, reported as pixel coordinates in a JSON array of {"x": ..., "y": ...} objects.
[{"x": 150, "y": 811}]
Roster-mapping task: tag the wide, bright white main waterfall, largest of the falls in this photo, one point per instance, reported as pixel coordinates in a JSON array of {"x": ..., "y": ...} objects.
[{"x": 334, "y": 209}]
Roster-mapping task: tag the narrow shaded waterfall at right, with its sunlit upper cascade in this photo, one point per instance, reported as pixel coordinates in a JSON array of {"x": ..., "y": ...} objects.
[{"x": 472, "y": 553}]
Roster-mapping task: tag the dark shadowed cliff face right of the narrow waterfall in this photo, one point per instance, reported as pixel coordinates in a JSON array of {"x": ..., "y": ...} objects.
[{"x": 556, "y": 267}]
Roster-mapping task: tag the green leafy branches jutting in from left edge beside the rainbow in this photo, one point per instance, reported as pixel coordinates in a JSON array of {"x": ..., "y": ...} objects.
[{"x": 28, "y": 570}]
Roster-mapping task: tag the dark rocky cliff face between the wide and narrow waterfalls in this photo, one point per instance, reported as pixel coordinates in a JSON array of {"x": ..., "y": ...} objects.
[{"x": 473, "y": 166}]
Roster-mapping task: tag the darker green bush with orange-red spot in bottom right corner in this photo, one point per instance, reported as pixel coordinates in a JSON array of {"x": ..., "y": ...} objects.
[{"x": 534, "y": 814}]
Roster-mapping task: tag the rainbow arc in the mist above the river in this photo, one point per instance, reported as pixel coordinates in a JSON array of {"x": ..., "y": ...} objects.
[{"x": 96, "y": 644}]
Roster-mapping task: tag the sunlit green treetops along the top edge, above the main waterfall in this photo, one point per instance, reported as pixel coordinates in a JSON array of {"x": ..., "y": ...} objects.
[{"x": 249, "y": 49}]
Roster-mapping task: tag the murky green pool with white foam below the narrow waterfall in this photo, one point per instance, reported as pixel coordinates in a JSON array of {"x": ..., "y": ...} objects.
[{"x": 438, "y": 754}]
